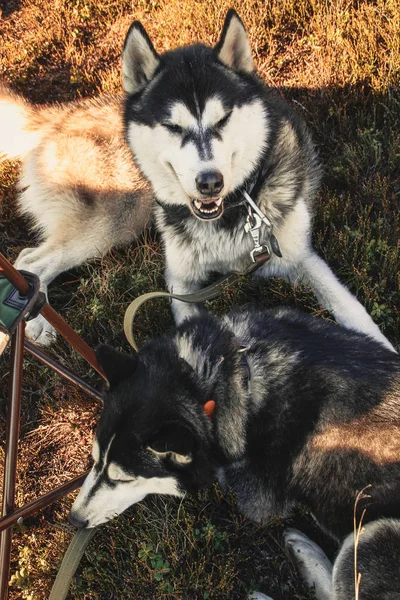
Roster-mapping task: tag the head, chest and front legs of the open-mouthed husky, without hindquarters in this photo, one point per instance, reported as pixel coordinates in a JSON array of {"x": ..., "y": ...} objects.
[{"x": 203, "y": 127}]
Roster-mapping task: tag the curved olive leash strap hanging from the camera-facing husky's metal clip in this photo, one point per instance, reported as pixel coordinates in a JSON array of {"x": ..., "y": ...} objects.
[{"x": 207, "y": 293}]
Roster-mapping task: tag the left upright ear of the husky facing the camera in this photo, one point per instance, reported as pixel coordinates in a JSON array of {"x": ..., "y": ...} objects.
[{"x": 139, "y": 59}]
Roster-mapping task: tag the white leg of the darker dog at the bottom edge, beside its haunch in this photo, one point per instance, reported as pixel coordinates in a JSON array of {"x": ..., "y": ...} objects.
[{"x": 312, "y": 562}]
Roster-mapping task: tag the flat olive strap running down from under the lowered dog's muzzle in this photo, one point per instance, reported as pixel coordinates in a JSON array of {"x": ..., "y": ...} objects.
[{"x": 70, "y": 563}]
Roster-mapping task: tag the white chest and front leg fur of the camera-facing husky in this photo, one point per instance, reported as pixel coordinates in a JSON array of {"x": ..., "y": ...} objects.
[{"x": 188, "y": 268}]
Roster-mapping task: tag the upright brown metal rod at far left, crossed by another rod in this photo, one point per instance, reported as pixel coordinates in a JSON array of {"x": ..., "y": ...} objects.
[{"x": 11, "y": 450}]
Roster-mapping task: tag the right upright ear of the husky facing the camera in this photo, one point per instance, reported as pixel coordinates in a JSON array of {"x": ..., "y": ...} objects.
[{"x": 233, "y": 48}]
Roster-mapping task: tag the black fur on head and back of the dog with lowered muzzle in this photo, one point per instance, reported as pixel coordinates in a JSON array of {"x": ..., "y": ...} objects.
[{"x": 315, "y": 375}]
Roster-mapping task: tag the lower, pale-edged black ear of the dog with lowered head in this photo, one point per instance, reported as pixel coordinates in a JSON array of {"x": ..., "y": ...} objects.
[{"x": 175, "y": 442}]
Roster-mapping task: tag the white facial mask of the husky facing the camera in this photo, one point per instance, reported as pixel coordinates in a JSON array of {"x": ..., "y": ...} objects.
[{"x": 173, "y": 169}]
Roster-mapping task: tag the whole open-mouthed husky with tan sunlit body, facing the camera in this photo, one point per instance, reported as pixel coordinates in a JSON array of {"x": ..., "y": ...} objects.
[{"x": 204, "y": 131}]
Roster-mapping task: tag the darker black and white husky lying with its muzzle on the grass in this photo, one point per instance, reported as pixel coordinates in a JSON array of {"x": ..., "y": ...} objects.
[{"x": 314, "y": 417}]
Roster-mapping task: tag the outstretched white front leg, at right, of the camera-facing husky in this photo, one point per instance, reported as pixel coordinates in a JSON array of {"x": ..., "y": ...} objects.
[{"x": 335, "y": 297}]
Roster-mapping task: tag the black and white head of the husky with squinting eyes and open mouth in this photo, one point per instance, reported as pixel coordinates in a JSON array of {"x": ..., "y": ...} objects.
[{"x": 195, "y": 118}]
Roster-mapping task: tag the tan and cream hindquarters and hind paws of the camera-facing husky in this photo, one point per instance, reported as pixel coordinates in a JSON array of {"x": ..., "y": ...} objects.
[{"x": 79, "y": 184}]
